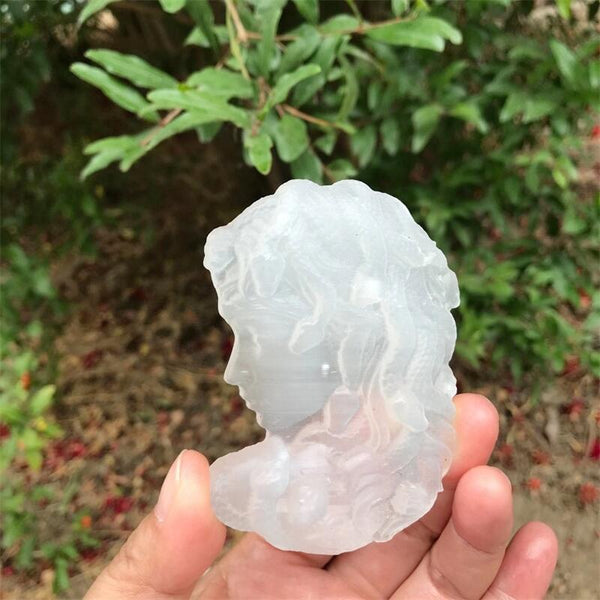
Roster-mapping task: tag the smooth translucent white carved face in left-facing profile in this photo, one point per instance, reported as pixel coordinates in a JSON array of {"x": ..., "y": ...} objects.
[{"x": 281, "y": 385}]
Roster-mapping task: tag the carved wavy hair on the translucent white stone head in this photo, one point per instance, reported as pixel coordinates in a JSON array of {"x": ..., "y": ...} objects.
[{"x": 352, "y": 266}]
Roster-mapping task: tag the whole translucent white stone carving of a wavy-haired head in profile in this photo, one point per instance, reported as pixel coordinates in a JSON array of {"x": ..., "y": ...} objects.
[{"x": 340, "y": 306}]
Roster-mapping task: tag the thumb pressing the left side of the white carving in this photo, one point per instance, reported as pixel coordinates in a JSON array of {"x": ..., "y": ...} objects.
[{"x": 173, "y": 546}]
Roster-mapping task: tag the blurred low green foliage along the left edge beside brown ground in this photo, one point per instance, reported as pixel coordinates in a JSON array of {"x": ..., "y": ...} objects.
[{"x": 31, "y": 311}]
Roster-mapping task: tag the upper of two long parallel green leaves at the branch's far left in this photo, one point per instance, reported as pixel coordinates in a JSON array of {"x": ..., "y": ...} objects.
[{"x": 133, "y": 68}]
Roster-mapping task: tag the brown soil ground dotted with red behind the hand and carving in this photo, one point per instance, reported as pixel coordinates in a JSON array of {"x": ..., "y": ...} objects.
[{"x": 140, "y": 378}]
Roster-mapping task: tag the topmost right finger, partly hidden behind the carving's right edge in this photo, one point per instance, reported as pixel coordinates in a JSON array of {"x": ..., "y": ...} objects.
[{"x": 380, "y": 568}]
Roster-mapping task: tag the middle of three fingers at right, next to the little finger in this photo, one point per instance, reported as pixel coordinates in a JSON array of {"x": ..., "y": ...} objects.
[{"x": 466, "y": 557}]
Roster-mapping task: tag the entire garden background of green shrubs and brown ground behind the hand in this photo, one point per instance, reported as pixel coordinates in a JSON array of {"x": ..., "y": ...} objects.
[{"x": 130, "y": 129}]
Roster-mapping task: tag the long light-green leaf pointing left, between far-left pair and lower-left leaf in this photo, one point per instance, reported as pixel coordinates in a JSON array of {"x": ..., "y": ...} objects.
[{"x": 198, "y": 102}]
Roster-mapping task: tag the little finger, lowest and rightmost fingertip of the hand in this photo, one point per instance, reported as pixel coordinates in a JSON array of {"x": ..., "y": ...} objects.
[{"x": 528, "y": 565}]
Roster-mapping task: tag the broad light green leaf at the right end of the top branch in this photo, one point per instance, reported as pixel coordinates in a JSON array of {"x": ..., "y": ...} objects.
[{"x": 425, "y": 32}]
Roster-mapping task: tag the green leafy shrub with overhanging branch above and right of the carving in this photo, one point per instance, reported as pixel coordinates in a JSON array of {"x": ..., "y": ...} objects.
[{"x": 472, "y": 112}]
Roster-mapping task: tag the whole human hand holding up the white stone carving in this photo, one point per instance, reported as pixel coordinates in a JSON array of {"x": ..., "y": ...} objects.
[{"x": 461, "y": 549}]
